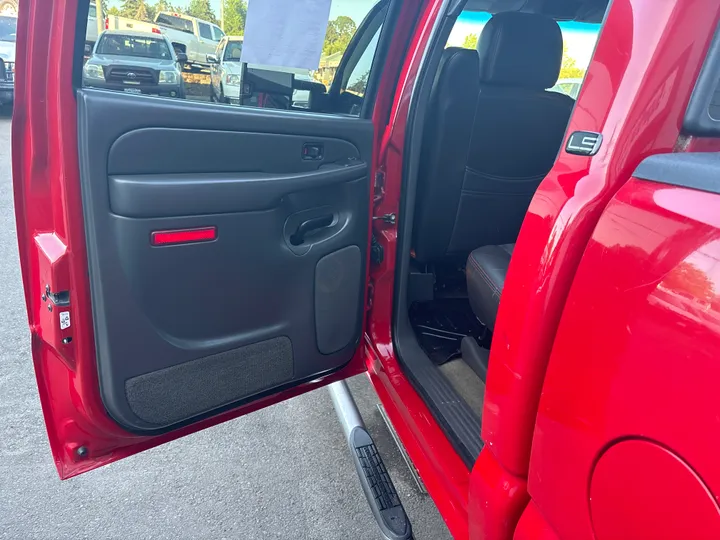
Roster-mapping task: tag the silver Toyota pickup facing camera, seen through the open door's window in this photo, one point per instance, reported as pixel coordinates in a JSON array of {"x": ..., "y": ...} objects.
[{"x": 136, "y": 63}]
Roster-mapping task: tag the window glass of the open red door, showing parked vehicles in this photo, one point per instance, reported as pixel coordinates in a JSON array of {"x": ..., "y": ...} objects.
[{"x": 133, "y": 58}]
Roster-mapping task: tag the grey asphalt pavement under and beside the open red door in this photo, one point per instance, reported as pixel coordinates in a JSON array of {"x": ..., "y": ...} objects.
[{"x": 283, "y": 472}]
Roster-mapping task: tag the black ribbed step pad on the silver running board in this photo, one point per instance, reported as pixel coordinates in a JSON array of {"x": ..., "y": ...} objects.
[{"x": 378, "y": 487}]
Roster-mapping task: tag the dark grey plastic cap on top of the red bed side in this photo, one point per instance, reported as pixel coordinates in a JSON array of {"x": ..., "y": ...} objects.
[{"x": 695, "y": 170}]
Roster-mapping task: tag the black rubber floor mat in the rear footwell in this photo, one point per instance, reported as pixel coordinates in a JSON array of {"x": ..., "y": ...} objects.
[{"x": 441, "y": 325}]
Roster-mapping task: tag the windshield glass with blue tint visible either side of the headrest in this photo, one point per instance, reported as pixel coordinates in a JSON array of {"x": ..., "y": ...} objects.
[{"x": 578, "y": 44}]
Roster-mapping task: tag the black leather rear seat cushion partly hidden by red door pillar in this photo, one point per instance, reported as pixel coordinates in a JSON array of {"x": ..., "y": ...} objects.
[{"x": 486, "y": 270}]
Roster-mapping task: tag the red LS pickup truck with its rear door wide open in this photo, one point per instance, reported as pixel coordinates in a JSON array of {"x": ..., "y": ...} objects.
[{"x": 528, "y": 280}]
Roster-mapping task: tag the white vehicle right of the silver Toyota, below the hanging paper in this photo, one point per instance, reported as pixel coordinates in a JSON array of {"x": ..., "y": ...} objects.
[{"x": 227, "y": 71}]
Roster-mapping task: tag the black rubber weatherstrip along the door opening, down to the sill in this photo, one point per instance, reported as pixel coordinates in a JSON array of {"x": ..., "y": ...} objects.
[{"x": 455, "y": 416}]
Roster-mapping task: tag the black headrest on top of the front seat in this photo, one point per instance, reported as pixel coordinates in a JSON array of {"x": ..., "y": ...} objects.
[{"x": 520, "y": 49}]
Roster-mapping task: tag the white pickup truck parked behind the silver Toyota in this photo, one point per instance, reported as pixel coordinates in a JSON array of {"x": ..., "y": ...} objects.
[{"x": 194, "y": 37}]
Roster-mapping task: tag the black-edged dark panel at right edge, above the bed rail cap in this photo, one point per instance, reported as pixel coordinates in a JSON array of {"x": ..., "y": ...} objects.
[{"x": 705, "y": 98}]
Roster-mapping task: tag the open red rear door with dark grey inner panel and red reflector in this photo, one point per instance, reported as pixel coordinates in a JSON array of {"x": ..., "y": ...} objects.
[{"x": 184, "y": 263}]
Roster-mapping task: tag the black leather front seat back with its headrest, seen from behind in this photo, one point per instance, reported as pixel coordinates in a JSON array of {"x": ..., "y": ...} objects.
[{"x": 492, "y": 135}]
